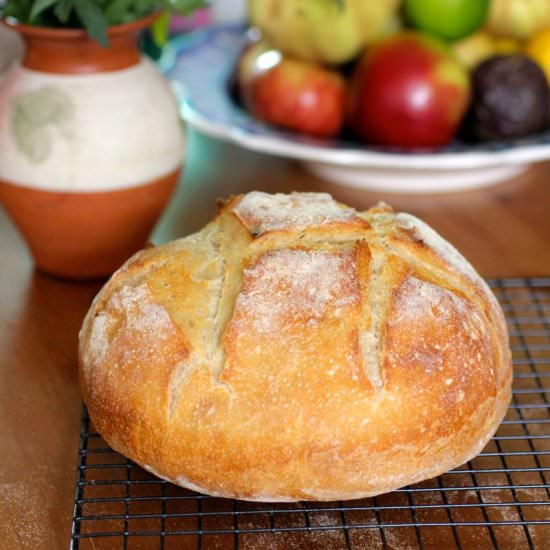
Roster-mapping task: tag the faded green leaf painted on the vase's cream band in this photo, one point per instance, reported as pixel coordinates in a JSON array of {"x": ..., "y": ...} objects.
[{"x": 36, "y": 116}]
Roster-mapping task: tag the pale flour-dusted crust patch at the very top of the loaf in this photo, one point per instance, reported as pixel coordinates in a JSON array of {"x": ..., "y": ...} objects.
[{"x": 262, "y": 212}]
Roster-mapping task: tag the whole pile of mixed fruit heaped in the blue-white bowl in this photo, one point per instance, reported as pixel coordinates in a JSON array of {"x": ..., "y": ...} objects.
[{"x": 411, "y": 73}]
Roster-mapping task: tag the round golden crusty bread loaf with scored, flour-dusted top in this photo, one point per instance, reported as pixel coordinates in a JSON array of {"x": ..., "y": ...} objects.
[{"x": 297, "y": 349}]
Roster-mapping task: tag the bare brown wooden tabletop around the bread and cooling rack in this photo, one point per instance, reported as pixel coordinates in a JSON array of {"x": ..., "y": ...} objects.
[{"x": 503, "y": 230}]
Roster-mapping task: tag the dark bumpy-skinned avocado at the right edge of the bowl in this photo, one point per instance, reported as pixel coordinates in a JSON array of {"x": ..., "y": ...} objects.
[{"x": 510, "y": 99}]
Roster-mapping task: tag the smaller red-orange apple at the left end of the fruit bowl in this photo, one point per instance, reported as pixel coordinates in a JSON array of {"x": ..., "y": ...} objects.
[{"x": 294, "y": 94}]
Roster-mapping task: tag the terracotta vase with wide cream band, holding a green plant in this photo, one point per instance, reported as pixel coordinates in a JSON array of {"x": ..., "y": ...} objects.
[{"x": 91, "y": 148}]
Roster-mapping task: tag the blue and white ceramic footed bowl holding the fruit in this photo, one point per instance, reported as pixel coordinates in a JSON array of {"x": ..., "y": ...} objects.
[{"x": 200, "y": 66}]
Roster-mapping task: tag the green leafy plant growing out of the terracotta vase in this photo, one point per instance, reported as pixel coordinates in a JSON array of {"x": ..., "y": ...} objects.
[{"x": 95, "y": 15}]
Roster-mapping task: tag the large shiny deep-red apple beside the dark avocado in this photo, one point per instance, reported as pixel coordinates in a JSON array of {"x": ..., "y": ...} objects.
[{"x": 408, "y": 91}]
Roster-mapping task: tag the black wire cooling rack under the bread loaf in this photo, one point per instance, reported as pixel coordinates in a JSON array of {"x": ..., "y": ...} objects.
[{"x": 501, "y": 499}]
